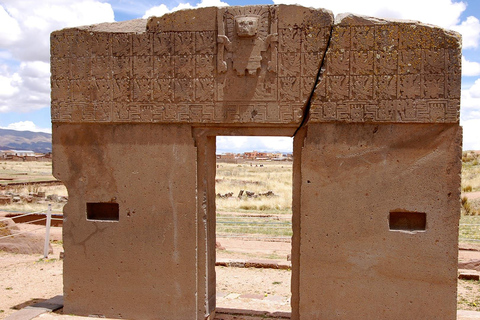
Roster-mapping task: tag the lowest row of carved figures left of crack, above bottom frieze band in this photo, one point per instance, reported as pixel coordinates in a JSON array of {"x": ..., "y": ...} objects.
[{"x": 292, "y": 89}]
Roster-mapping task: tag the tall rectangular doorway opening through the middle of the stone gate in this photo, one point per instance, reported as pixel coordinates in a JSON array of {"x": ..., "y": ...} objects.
[{"x": 253, "y": 199}]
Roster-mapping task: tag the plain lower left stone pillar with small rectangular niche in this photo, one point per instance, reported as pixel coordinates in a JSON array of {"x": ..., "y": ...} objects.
[{"x": 130, "y": 223}]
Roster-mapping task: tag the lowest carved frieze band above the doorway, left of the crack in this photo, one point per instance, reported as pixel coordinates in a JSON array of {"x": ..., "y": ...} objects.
[{"x": 178, "y": 113}]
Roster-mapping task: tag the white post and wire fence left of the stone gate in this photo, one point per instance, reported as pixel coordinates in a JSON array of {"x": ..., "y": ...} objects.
[{"x": 46, "y": 215}]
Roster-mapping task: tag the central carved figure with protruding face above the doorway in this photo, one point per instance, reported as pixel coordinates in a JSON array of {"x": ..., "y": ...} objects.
[{"x": 247, "y": 54}]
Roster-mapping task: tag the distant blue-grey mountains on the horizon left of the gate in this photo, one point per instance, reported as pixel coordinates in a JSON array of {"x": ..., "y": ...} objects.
[{"x": 25, "y": 140}]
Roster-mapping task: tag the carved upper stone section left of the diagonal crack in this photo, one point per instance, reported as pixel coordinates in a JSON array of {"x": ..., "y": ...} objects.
[{"x": 188, "y": 66}]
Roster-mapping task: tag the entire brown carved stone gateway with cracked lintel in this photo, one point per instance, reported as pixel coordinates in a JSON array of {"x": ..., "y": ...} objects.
[{"x": 372, "y": 104}]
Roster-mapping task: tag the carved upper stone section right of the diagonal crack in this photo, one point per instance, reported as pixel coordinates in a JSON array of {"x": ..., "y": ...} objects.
[{"x": 389, "y": 71}]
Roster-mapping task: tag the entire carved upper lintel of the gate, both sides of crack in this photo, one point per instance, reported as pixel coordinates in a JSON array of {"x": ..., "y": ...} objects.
[{"x": 257, "y": 64}]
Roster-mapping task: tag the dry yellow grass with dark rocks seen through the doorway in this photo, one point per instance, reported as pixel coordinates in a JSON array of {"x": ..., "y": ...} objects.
[{"x": 258, "y": 177}]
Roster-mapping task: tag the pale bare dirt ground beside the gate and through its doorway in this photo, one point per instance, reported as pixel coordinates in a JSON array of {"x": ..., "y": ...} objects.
[{"x": 25, "y": 279}]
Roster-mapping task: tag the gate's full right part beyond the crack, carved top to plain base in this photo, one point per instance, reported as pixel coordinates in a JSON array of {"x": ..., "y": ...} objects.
[{"x": 380, "y": 175}]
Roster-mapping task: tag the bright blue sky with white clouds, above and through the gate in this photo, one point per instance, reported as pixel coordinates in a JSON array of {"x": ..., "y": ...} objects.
[{"x": 25, "y": 26}]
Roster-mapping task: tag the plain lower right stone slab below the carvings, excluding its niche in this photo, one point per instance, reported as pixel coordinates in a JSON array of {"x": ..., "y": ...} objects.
[{"x": 349, "y": 185}]
